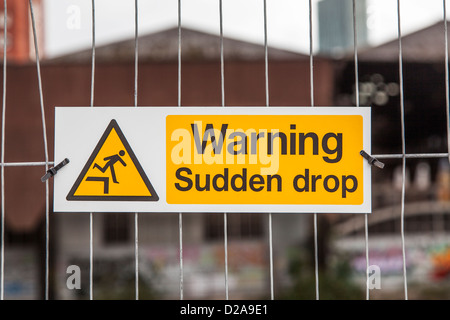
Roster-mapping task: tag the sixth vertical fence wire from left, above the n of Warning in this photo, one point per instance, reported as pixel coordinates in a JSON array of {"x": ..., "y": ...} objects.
[{"x": 222, "y": 86}]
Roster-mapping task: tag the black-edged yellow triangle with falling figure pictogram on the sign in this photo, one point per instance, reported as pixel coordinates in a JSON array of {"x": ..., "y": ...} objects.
[{"x": 113, "y": 173}]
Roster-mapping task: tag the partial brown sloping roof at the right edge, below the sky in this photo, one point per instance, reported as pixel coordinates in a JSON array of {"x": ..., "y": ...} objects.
[{"x": 425, "y": 45}]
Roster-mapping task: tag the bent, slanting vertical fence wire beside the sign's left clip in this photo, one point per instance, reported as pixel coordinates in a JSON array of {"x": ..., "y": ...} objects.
[{"x": 44, "y": 130}]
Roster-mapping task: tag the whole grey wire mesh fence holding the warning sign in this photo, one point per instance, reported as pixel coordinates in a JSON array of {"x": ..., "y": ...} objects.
[{"x": 139, "y": 231}]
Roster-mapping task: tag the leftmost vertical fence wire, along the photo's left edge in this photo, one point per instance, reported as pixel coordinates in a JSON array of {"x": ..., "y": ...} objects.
[{"x": 2, "y": 271}]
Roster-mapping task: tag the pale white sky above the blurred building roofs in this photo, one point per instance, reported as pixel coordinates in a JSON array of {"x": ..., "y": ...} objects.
[{"x": 68, "y": 23}]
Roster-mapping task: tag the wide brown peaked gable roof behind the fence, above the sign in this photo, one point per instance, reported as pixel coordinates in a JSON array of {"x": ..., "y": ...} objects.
[{"x": 163, "y": 46}]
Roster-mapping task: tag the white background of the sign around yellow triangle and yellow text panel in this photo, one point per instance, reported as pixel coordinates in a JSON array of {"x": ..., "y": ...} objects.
[{"x": 78, "y": 130}]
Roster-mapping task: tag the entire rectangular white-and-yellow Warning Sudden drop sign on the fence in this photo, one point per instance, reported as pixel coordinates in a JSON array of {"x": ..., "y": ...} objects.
[{"x": 213, "y": 159}]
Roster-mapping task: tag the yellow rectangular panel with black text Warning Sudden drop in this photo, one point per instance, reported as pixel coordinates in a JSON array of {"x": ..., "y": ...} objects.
[{"x": 265, "y": 159}]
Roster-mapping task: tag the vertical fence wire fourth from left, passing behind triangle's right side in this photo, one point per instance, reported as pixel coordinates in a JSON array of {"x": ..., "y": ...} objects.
[{"x": 136, "y": 215}]
